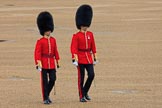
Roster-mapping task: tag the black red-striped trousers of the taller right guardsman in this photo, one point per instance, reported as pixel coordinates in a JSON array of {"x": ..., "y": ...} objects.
[{"x": 84, "y": 88}]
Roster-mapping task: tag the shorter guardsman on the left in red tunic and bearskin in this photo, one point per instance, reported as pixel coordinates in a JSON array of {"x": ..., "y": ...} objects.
[{"x": 46, "y": 54}]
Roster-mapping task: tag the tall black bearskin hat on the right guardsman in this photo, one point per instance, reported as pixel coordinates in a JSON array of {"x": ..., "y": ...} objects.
[{"x": 84, "y": 16}]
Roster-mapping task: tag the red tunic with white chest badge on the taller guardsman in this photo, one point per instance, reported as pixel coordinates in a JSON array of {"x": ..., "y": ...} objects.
[{"x": 83, "y": 45}]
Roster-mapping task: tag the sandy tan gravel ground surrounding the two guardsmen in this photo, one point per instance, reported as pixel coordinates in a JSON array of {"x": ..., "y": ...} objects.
[{"x": 128, "y": 37}]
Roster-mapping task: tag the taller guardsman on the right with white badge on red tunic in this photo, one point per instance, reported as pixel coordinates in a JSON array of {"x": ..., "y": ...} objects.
[{"x": 83, "y": 50}]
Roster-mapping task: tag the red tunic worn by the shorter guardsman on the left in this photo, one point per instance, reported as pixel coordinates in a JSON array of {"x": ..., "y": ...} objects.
[{"x": 46, "y": 51}]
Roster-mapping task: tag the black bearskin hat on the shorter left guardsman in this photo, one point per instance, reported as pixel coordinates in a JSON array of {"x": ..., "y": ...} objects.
[{"x": 45, "y": 22}]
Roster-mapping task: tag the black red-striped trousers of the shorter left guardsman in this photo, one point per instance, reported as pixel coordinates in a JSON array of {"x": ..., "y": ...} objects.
[{"x": 48, "y": 78}]
